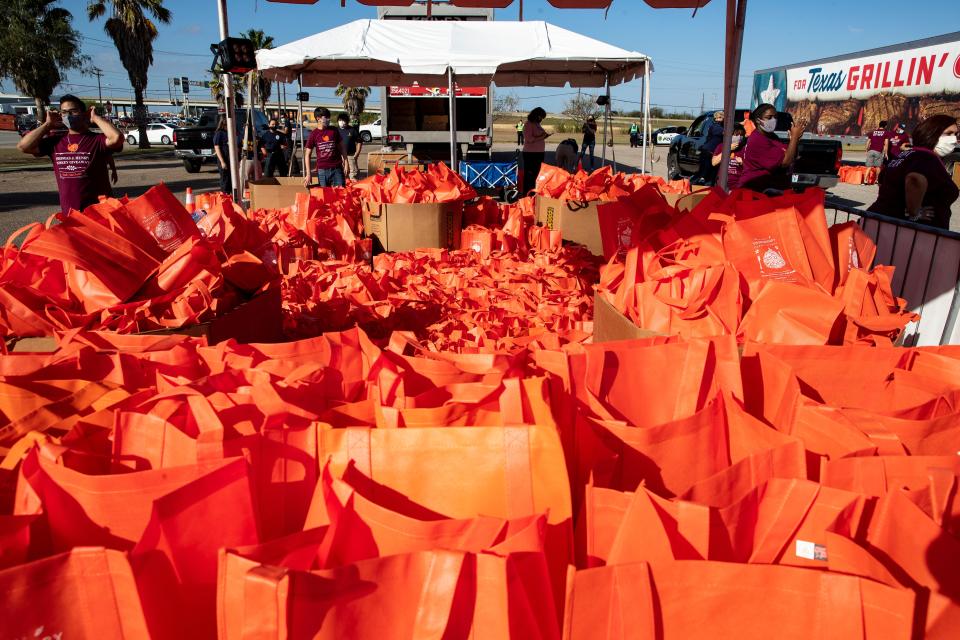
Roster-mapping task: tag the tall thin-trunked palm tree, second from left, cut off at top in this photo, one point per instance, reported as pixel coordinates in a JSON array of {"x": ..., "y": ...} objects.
[{"x": 133, "y": 33}]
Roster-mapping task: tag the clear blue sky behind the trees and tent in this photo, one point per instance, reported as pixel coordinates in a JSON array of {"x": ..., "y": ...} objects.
[{"x": 687, "y": 51}]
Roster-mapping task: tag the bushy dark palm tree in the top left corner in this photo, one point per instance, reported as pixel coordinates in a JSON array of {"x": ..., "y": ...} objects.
[{"x": 37, "y": 45}]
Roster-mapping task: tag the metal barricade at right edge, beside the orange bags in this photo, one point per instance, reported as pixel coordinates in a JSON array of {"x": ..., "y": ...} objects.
[{"x": 927, "y": 274}]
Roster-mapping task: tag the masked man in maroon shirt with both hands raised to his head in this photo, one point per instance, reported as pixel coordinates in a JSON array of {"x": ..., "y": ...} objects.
[{"x": 80, "y": 157}]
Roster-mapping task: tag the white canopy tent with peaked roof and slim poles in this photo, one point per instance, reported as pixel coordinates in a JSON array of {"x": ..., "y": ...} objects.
[{"x": 510, "y": 54}]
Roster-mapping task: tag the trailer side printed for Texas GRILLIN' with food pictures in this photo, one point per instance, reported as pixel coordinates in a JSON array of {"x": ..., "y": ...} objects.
[{"x": 848, "y": 96}]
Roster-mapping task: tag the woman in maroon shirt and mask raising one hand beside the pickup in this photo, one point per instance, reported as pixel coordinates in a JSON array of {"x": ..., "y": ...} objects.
[{"x": 766, "y": 158}]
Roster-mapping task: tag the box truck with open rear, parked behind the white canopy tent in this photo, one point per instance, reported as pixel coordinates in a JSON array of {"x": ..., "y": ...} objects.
[{"x": 417, "y": 118}]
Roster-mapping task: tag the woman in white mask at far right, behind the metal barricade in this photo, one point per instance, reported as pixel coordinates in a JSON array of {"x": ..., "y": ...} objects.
[{"x": 915, "y": 184}]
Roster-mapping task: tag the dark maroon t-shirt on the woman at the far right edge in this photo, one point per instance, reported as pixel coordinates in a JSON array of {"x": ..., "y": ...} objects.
[{"x": 941, "y": 192}]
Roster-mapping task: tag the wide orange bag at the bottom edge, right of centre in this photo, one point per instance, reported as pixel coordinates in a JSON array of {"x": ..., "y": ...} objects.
[{"x": 695, "y": 599}]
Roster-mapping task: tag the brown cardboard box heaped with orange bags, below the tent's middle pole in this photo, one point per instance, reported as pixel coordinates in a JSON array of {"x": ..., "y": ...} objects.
[{"x": 405, "y": 227}]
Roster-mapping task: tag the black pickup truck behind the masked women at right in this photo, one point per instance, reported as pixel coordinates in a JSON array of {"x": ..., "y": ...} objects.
[{"x": 816, "y": 164}]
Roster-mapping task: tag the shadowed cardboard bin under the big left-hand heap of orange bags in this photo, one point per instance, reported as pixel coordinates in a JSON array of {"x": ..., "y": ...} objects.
[{"x": 257, "y": 320}]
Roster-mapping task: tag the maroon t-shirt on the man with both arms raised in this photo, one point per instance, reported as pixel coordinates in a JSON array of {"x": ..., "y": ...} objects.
[{"x": 80, "y": 164}]
